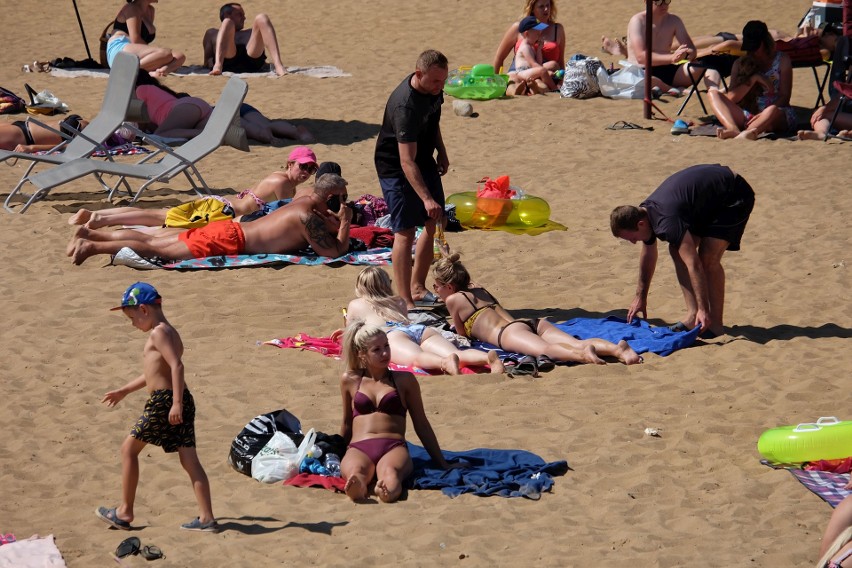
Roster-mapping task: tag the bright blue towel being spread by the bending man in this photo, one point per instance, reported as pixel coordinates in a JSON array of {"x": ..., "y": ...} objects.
[{"x": 641, "y": 336}]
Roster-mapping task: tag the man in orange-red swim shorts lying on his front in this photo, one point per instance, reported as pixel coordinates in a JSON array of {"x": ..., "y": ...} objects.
[{"x": 304, "y": 221}]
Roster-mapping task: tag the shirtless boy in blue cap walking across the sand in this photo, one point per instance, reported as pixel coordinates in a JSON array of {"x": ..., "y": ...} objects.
[{"x": 168, "y": 420}]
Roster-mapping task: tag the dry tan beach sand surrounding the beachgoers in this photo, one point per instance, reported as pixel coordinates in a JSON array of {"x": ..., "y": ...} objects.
[{"x": 696, "y": 496}]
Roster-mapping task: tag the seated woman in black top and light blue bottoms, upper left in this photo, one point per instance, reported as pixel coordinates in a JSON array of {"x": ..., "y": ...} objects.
[{"x": 133, "y": 31}]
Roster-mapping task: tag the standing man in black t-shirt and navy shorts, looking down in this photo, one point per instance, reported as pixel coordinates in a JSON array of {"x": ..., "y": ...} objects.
[{"x": 410, "y": 173}]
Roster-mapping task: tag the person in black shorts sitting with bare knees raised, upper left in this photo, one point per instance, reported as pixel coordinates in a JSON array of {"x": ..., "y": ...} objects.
[{"x": 231, "y": 48}]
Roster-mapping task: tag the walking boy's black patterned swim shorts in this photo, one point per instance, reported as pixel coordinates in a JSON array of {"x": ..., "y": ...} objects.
[{"x": 153, "y": 426}]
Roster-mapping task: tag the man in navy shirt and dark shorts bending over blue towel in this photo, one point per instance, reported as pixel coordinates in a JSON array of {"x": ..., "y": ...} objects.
[{"x": 701, "y": 212}]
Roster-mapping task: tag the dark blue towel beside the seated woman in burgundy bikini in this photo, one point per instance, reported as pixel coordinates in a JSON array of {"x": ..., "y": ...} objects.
[{"x": 505, "y": 473}]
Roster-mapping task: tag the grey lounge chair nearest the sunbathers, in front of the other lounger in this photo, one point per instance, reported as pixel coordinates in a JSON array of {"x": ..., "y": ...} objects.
[{"x": 174, "y": 160}]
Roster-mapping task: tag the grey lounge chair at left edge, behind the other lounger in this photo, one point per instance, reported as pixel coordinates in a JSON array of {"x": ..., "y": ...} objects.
[{"x": 117, "y": 99}]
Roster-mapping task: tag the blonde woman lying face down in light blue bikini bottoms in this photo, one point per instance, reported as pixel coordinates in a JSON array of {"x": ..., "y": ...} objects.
[{"x": 411, "y": 344}]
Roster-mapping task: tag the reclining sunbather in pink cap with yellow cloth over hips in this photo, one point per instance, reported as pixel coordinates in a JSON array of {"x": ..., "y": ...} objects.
[{"x": 301, "y": 164}]
